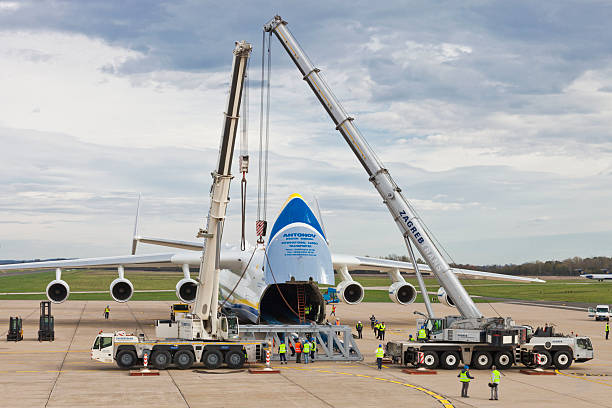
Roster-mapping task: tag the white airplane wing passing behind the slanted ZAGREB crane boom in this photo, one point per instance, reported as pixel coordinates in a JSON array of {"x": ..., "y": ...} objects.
[{"x": 384, "y": 265}]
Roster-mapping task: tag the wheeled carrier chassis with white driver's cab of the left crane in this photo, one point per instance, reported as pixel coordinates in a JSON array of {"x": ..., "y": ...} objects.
[{"x": 129, "y": 351}]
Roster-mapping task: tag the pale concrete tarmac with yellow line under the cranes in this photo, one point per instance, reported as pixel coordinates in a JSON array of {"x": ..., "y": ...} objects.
[{"x": 61, "y": 373}]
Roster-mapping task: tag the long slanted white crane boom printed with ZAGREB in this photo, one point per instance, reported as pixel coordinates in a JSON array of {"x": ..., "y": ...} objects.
[{"x": 402, "y": 212}]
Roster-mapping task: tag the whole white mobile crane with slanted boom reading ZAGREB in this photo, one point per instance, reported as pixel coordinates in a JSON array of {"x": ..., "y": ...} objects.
[{"x": 470, "y": 338}]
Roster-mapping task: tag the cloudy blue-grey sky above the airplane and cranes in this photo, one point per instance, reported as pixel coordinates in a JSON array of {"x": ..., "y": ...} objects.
[{"x": 494, "y": 118}]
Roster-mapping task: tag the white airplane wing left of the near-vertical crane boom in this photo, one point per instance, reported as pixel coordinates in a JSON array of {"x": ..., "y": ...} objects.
[{"x": 153, "y": 260}]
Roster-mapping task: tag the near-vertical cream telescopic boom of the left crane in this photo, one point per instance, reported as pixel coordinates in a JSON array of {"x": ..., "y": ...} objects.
[{"x": 208, "y": 279}]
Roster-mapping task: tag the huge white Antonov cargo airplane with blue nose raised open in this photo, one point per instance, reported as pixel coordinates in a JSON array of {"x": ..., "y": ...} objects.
[{"x": 266, "y": 283}]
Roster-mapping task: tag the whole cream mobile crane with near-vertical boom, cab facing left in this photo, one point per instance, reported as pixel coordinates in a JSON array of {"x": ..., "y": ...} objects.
[{"x": 204, "y": 335}]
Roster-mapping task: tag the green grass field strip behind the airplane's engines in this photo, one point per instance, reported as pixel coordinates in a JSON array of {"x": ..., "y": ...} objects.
[{"x": 569, "y": 290}]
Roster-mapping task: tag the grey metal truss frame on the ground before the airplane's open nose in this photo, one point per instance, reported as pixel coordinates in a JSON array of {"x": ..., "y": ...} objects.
[{"x": 334, "y": 343}]
